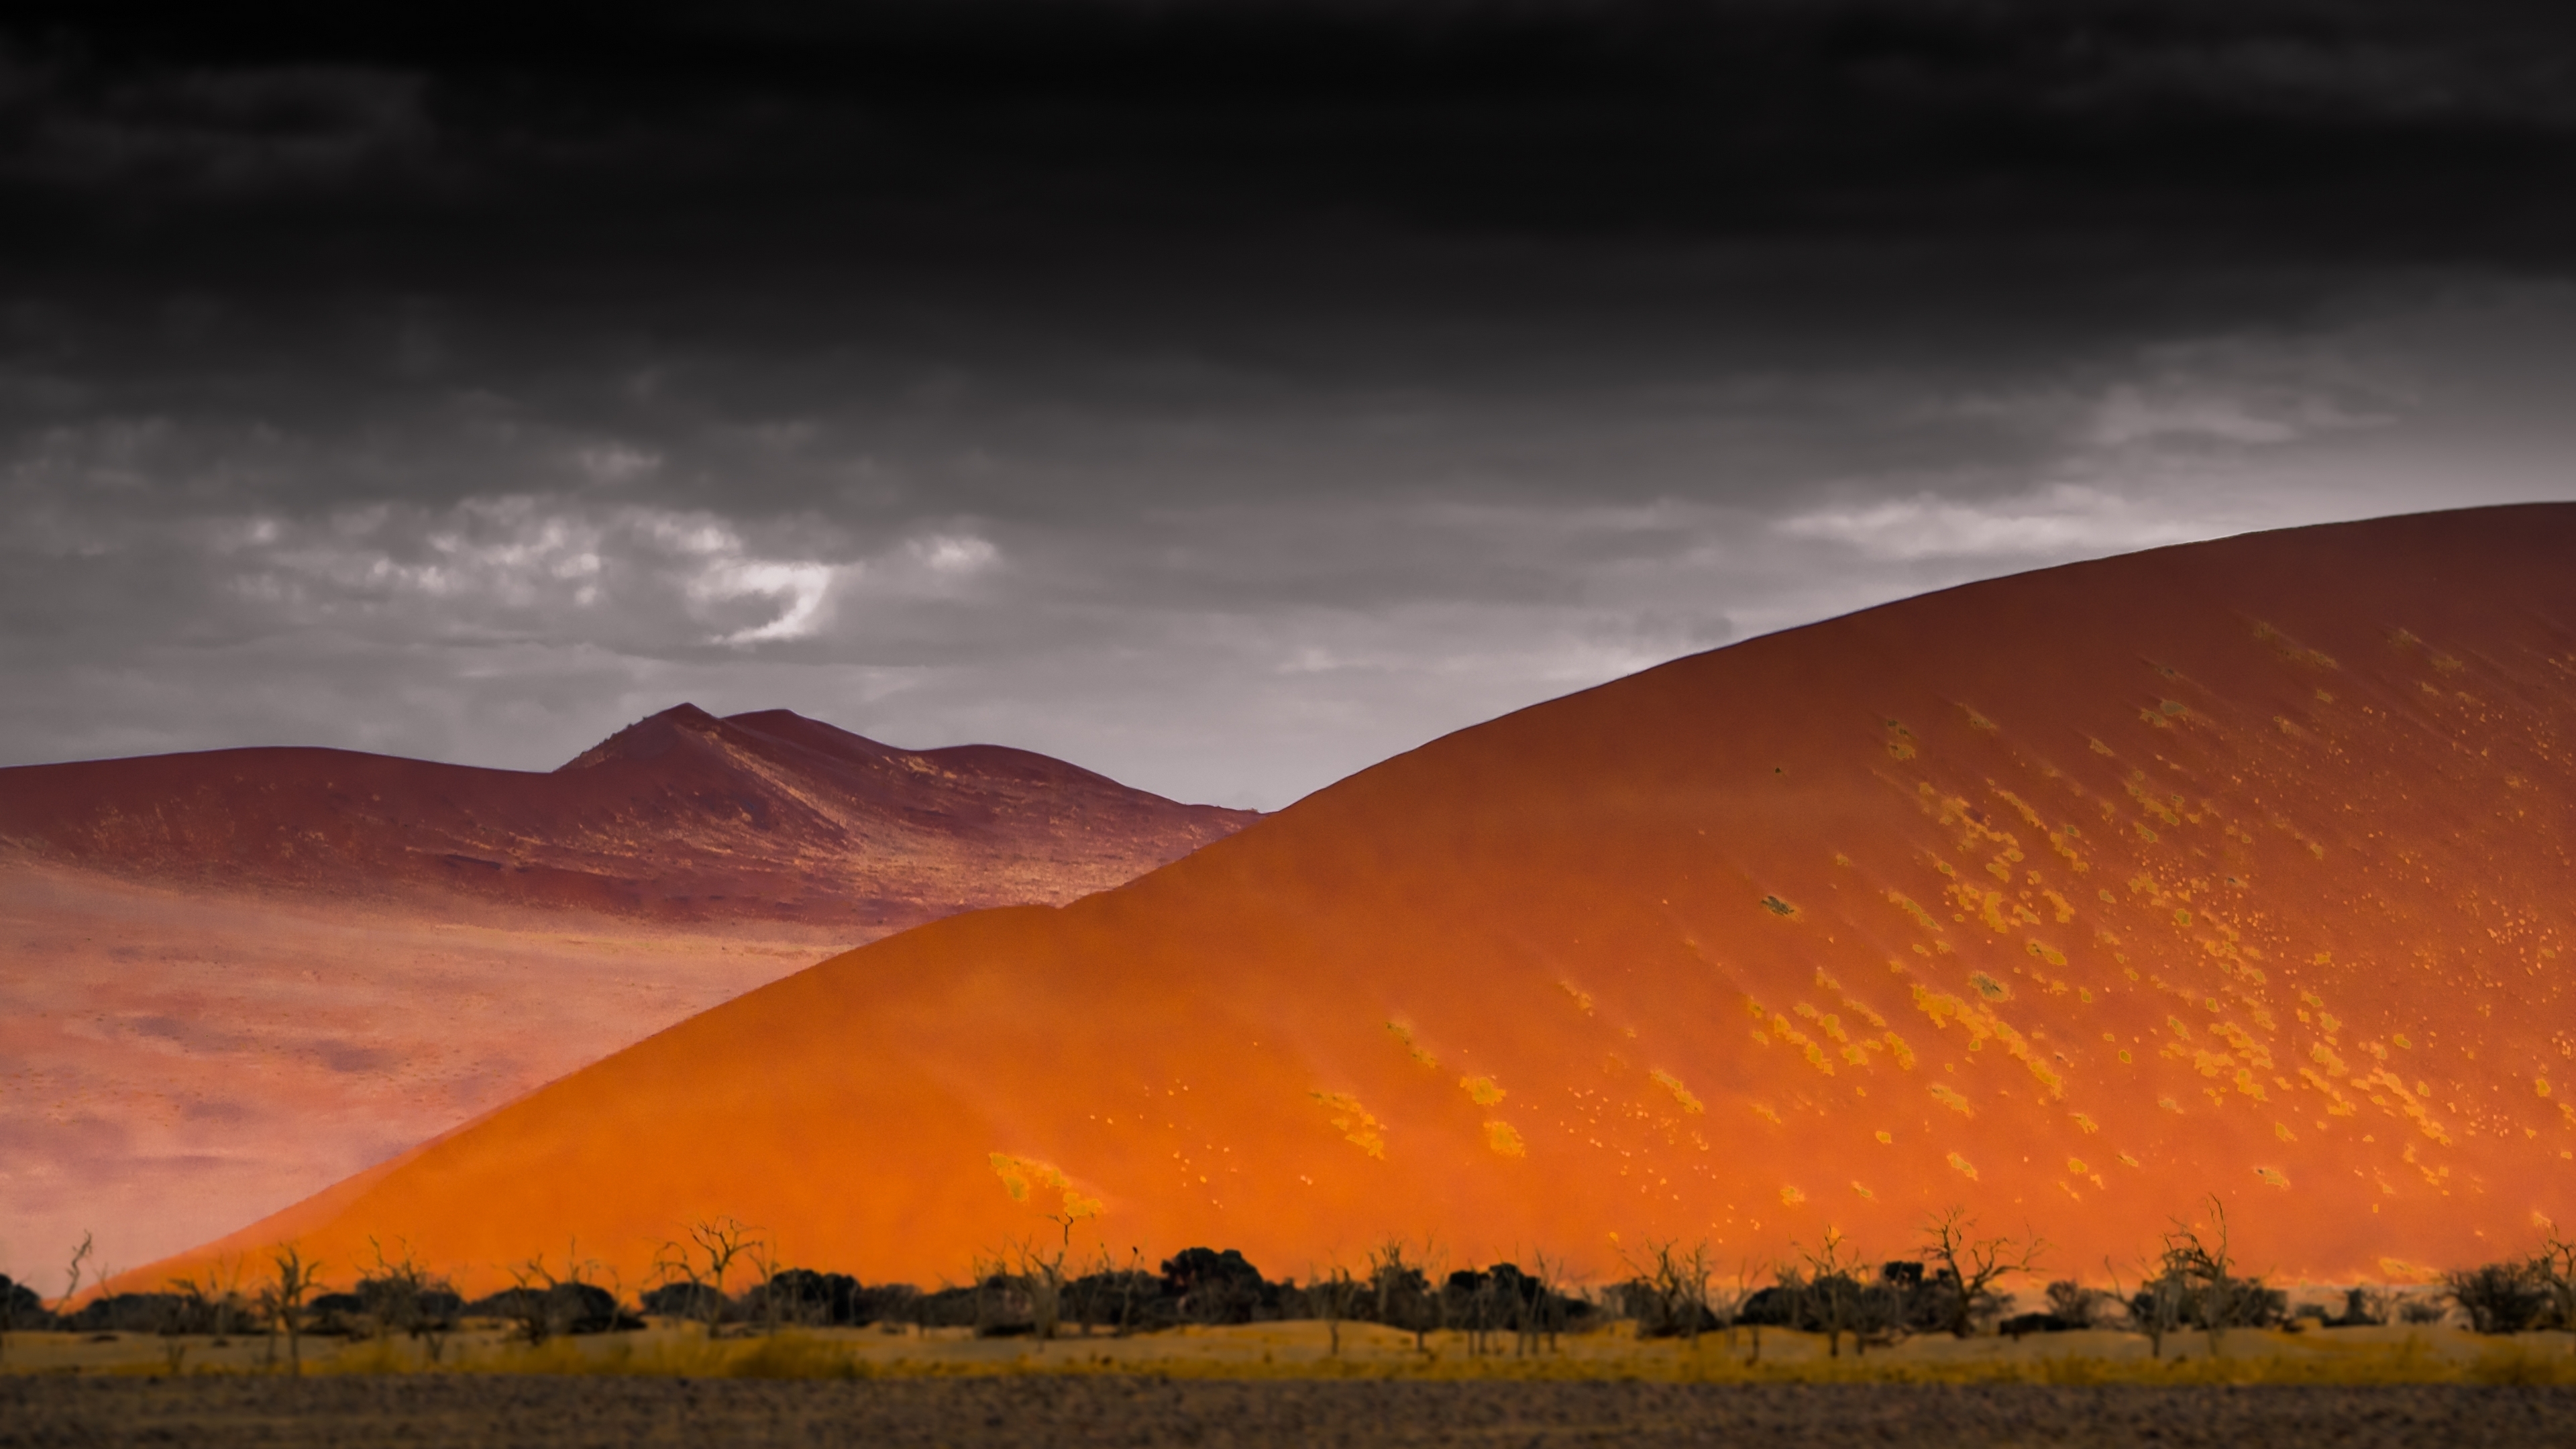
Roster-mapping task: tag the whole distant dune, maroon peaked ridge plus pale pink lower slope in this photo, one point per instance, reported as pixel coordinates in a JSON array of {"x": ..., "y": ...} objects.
[{"x": 241, "y": 976}]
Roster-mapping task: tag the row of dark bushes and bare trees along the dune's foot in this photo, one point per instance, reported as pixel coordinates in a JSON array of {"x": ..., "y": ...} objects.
[{"x": 725, "y": 1278}]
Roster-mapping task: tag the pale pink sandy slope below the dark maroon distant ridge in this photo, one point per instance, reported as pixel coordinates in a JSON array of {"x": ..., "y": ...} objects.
[{"x": 179, "y": 1066}]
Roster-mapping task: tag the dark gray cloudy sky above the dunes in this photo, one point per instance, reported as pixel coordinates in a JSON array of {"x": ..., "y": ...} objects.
[{"x": 1217, "y": 396}]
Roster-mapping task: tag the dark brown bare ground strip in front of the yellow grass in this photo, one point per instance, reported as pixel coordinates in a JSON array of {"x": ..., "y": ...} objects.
[{"x": 573, "y": 1412}]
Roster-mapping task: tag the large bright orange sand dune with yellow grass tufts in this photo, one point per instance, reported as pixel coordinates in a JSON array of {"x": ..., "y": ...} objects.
[{"x": 2075, "y": 896}]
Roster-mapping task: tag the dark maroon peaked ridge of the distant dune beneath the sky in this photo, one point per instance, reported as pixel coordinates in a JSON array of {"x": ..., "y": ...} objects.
[{"x": 681, "y": 819}]
